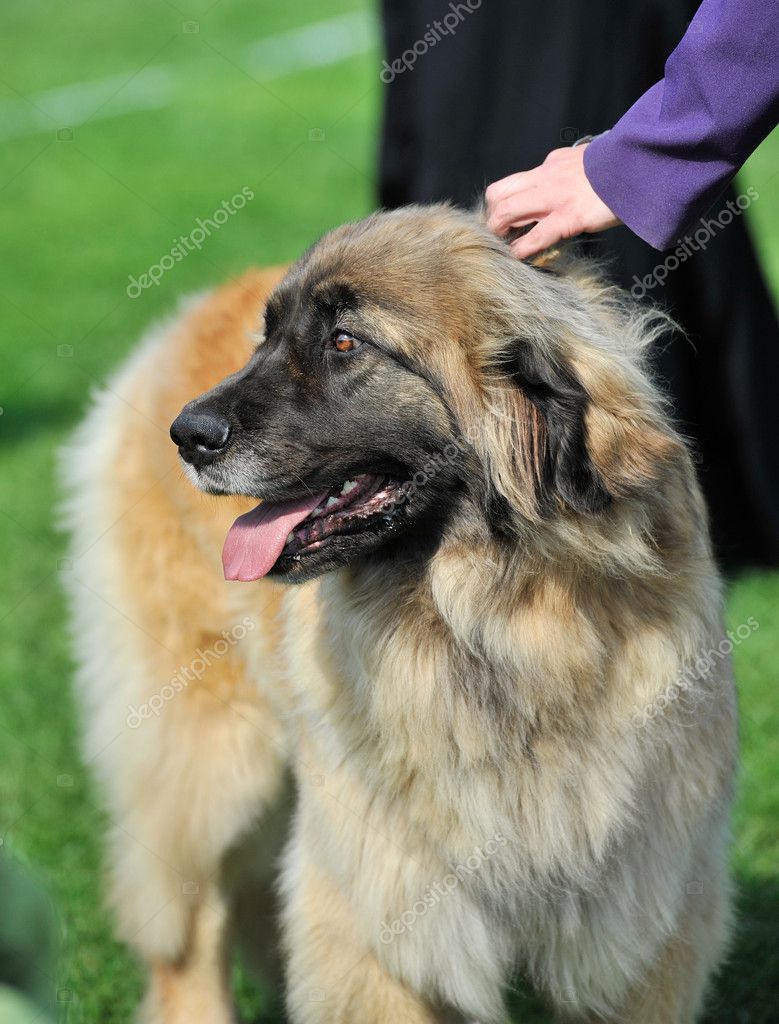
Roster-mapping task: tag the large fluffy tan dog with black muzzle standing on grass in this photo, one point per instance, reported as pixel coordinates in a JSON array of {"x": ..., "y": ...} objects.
[{"x": 504, "y": 766}]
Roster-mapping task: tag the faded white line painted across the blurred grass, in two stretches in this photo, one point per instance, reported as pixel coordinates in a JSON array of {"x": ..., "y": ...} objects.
[{"x": 317, "y": 46}]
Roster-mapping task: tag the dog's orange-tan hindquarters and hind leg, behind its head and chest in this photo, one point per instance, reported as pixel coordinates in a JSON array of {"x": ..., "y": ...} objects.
[{"x": 178, "y": 729}]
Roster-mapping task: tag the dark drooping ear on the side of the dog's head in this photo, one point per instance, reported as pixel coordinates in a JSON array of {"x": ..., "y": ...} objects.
[{"x": 554, "y": 404}]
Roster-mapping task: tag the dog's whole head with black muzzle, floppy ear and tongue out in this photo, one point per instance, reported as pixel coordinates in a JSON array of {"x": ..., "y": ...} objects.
[{"x": 413, "y": 379}]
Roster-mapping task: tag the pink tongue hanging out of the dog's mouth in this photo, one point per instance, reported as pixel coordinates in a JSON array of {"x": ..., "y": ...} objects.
[{"x": 256, "y": 539}]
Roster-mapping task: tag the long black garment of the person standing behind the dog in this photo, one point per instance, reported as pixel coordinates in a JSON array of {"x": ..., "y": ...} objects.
[{"x": 514, "y": 80}]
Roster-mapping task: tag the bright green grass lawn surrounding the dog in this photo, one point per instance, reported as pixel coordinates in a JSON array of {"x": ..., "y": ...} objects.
[{"x": 82, "y": 216}]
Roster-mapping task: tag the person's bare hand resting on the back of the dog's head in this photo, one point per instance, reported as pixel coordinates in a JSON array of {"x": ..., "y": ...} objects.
[{"x": 557, "y": 195}]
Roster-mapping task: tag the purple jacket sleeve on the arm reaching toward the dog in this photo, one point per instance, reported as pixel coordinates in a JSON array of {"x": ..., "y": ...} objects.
[{"x": 674, "y": 153}]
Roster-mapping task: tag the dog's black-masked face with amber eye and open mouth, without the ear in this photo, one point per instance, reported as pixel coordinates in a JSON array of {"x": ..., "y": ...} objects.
[{"x": 333, "y": 411}]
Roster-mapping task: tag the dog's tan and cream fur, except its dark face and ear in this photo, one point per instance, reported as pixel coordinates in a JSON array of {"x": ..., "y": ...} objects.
[{"x": 407, "y": 759}]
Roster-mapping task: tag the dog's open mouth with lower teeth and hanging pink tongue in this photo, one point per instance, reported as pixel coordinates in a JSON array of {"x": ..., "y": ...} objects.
[{"x": 292, "y": 530}]
